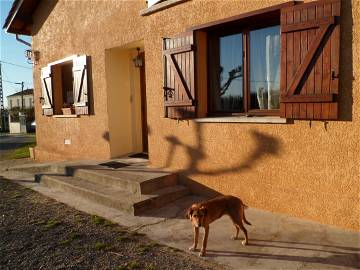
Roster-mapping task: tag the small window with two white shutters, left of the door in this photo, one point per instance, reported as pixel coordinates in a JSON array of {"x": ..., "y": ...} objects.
[{"x": 65, "y": 86}]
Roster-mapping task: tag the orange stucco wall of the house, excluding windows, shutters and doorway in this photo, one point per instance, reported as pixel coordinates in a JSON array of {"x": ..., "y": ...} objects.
[{"x": 303, "y": 169}]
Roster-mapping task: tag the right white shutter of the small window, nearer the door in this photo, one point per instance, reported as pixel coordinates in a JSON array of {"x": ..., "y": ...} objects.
[{"x": 80, "y": 85}]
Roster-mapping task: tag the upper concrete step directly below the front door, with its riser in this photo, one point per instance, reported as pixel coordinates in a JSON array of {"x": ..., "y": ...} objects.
[{"x": 131, "y": 179}]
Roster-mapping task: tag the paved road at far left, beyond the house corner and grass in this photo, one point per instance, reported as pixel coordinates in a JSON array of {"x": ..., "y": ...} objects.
[{"x": 10, "y": 142}]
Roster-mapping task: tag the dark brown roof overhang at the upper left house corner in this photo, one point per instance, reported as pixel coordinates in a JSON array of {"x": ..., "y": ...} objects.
[{"x": 19, "y": 20}]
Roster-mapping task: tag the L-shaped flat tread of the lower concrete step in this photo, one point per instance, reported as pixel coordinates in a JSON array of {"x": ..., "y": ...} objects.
[{"x": 112, "y": 192}]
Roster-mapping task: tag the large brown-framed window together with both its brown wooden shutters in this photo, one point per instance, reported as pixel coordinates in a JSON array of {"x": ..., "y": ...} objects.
[{"x": 281, "y": 60}]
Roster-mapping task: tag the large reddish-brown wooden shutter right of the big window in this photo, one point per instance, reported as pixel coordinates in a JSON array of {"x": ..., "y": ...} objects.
[{"x": 310, "y": 46}]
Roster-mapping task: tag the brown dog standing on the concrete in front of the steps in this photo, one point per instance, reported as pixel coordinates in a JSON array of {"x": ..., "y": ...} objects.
[{"x": 203, "y": 213}]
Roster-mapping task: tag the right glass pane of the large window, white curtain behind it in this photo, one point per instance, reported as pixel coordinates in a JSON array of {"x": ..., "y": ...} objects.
[{"x": 265, "y": 68}]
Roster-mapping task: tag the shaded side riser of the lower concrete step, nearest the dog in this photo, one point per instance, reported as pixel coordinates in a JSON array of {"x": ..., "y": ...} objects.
[{"x": 159, "y": 201}]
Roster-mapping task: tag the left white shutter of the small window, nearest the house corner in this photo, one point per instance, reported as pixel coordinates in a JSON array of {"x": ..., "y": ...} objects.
[{"x": 47, "y": 95}]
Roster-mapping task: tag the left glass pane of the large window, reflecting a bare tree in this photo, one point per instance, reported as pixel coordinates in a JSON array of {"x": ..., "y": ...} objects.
[{"x": 227, "y": 83}]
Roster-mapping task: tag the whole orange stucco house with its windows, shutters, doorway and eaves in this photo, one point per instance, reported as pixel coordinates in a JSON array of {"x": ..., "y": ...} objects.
[{"x": 258, "y": 99}]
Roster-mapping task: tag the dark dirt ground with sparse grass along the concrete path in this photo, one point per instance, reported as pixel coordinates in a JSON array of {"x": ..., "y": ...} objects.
[{"x": 39, "y": 233}]
